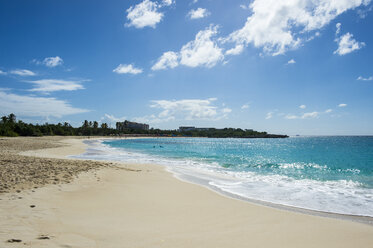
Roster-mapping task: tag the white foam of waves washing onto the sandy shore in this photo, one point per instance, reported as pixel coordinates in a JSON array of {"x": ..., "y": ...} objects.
[{"x": 338, "y": 196}]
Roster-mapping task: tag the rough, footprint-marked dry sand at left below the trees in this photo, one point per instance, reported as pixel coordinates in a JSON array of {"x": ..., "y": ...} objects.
[{"x": 19, "y": 172}]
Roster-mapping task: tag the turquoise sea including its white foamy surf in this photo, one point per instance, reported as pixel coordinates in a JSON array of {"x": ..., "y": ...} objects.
[{"x": 332, "y": 174}]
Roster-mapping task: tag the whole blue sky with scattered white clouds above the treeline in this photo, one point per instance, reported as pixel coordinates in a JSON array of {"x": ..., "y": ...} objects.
[{"x": 281, "y": 66}]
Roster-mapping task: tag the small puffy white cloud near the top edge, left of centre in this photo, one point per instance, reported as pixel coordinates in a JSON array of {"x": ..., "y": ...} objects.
[{"x": 144, "y": 14}]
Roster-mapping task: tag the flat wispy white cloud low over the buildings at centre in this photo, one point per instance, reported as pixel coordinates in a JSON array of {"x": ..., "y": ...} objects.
[{"x": 187, "y": 109}]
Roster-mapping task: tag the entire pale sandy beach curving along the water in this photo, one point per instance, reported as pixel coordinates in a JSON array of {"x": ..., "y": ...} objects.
[{"x": 47, "y": 200}]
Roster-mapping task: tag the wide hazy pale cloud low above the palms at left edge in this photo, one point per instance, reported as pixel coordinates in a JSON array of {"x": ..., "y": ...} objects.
[{"x": 32, "y": 106}]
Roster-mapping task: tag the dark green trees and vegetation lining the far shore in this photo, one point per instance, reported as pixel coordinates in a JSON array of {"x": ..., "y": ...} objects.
[{"x": 9, "y": 126}]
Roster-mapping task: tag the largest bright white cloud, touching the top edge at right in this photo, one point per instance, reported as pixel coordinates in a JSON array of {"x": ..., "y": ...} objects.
[{"x": 277, "y": 26}]
